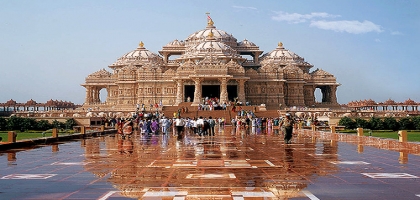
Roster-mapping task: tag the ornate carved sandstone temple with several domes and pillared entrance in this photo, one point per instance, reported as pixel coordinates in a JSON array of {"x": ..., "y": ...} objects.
[{"x": 210, "y": 63}]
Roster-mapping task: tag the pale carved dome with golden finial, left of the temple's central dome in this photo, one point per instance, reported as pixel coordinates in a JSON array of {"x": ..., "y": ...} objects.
[{"x": 140, "y": 54}]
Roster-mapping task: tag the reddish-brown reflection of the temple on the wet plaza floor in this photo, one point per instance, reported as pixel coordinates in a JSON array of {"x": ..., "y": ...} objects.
[{"x": 222, "y": 167}]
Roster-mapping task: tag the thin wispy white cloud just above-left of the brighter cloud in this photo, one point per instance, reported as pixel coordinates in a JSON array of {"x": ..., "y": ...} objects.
[{"x": 295, "y": 18}]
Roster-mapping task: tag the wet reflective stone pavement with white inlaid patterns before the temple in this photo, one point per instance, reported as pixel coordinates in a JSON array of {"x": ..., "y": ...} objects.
[{"x": 235, "y": 164}]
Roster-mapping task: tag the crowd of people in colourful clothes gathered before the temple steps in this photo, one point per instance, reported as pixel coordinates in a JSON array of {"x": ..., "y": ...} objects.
[{"x": 155, "y": 122}]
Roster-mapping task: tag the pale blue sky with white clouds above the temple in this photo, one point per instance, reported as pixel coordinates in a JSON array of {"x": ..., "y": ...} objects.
[{"x": 48, "y": 47}]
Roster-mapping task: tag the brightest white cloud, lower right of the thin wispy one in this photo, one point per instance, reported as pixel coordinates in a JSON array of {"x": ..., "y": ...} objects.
[{"x": 355, "y": 27}]
